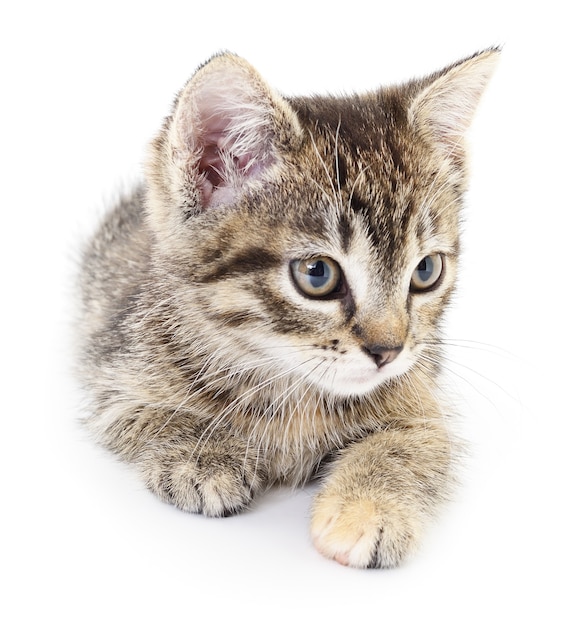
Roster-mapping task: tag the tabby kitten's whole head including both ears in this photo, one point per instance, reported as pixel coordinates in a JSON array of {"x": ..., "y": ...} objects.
[{"x": 312, "y": 241}]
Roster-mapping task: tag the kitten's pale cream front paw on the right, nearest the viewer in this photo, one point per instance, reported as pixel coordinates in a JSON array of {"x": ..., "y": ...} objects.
[{"x": 361, "y": 532}]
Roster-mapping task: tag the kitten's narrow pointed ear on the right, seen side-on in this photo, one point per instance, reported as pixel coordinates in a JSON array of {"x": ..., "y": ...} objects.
[{"x": 443, "y": 109}]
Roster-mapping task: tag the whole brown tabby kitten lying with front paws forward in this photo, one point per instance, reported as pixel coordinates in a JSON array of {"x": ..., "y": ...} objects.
[{"x": 268, "y": 305}]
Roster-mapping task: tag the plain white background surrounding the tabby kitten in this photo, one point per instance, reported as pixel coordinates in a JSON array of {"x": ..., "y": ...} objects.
[{"x": 83, "y": 87}]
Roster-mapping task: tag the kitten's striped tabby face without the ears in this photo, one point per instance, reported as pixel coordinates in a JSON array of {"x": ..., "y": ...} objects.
[{"x": 333, "y": 283}]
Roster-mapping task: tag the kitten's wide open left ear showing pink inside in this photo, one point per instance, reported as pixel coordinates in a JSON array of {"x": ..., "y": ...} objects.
[{"x": 226, "y": 132}]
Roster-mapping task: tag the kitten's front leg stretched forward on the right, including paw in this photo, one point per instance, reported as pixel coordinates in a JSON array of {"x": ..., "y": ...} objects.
[{"x": 379, "y": 495}]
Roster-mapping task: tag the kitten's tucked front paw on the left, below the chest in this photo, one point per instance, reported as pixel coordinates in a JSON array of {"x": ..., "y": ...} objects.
[{"x": 217, "y": 482}]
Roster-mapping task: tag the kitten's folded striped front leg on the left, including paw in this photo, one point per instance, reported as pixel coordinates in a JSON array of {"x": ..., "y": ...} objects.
[{"x": 198, "y": 469}]
